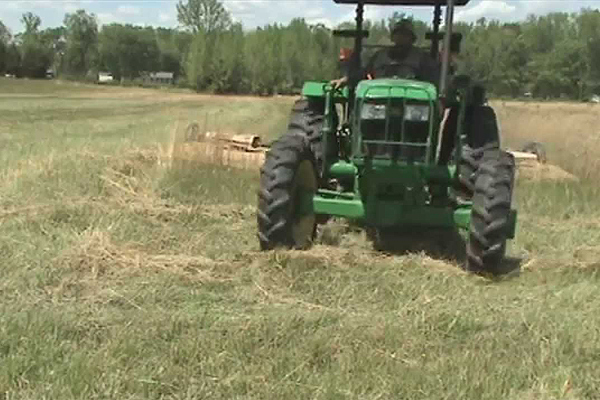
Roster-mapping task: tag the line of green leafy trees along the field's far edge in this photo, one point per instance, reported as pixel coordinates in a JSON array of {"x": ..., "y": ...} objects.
[{"x": 551, "y": 56}]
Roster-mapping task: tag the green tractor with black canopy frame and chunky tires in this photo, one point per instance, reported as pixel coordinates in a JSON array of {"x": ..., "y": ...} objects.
[{"x": 392, "y": 153}]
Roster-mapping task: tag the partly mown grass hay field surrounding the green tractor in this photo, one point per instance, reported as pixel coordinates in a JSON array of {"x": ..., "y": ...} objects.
[{"x": 127, "y": 276}]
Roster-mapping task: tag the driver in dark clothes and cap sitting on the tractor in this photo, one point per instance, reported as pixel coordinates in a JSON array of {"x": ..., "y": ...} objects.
[{"x": 403, "y": 60}]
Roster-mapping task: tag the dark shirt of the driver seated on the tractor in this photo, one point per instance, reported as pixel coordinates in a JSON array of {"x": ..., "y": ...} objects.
[{"x": 386, "y": 63}]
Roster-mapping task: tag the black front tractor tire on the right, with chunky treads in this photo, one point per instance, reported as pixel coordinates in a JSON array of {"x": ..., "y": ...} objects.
[{"x": 490, "y": 215}]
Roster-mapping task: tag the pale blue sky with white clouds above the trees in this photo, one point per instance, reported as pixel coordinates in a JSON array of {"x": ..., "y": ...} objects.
[{"x": 253, "y": 13}]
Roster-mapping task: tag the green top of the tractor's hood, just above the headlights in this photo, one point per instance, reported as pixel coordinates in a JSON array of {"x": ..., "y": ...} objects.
[{"x": 396, "y": 88}]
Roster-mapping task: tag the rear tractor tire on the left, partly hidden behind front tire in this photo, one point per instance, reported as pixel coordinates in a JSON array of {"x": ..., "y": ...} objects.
[{"x": 307, "y": 119}]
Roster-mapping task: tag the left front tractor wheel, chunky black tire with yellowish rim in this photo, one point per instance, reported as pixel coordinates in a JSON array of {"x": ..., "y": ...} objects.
[{"x": 289, "y": 170}]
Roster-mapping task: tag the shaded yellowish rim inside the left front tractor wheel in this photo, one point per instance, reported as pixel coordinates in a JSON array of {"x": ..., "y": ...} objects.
[{"x": 303, "y": 216}]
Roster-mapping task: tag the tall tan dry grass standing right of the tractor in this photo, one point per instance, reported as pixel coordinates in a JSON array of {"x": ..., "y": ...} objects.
[{"x": 570, "y": 132}]
